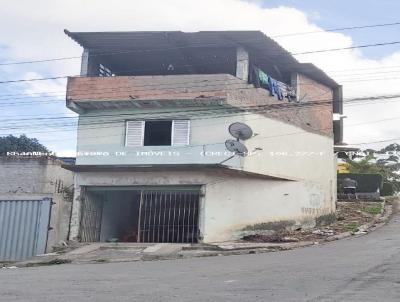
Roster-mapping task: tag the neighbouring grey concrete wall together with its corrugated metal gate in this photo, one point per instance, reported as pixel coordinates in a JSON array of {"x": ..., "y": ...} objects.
[{"x": 35, "y": 205}]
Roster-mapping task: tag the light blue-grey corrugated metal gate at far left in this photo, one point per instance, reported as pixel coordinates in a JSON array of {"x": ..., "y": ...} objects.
[{"x": 24, "y": 226}]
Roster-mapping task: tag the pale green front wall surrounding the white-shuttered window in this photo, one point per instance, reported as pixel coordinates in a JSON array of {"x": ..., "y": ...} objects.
[{"x": 108, "y": 138}]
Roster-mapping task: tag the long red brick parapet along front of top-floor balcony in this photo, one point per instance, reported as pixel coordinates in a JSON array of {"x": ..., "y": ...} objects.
[{"x": 150, "y": 87}]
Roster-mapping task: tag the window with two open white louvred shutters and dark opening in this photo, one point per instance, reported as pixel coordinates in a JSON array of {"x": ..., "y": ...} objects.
[{"x": 157, "y": 133}]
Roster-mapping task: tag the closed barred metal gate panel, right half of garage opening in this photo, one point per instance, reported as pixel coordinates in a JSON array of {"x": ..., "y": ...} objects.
[{"x": 169, "y": 216}]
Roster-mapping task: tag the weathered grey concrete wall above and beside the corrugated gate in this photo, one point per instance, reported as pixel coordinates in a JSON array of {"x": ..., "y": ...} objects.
[{"x": 38, "y": 178}]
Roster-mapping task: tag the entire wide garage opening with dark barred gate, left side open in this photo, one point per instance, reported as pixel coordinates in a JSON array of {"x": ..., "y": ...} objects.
[{"x": 132, "y": 214}]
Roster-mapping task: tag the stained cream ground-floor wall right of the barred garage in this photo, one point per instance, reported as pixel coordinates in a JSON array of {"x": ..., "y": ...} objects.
[{"x": 240, "y": 203}]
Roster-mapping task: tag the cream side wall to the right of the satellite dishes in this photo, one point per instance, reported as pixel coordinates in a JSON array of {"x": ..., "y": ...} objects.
[{"x": 293, "y": 153}]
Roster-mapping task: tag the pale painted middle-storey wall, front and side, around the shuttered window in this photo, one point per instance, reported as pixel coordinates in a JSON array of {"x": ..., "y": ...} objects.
[{"x": 287, "y": 150}]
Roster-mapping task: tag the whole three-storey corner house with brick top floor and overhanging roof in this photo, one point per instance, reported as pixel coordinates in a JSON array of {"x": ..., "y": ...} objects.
[{"x": 154, "y": 111}]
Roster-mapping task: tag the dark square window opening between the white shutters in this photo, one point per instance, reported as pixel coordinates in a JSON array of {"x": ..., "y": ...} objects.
[{"x": 157, "y": 133}]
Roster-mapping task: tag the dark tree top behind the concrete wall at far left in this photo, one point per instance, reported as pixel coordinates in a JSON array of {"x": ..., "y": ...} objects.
[{"x": 22, "y": 143}]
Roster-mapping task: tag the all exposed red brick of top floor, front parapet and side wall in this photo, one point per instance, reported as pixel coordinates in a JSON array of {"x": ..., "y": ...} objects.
[{"x": 308, "y": 113}]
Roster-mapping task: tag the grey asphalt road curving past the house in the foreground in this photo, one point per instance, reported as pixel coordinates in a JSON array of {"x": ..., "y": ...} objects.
[{"x": 366, "y": 268}]
